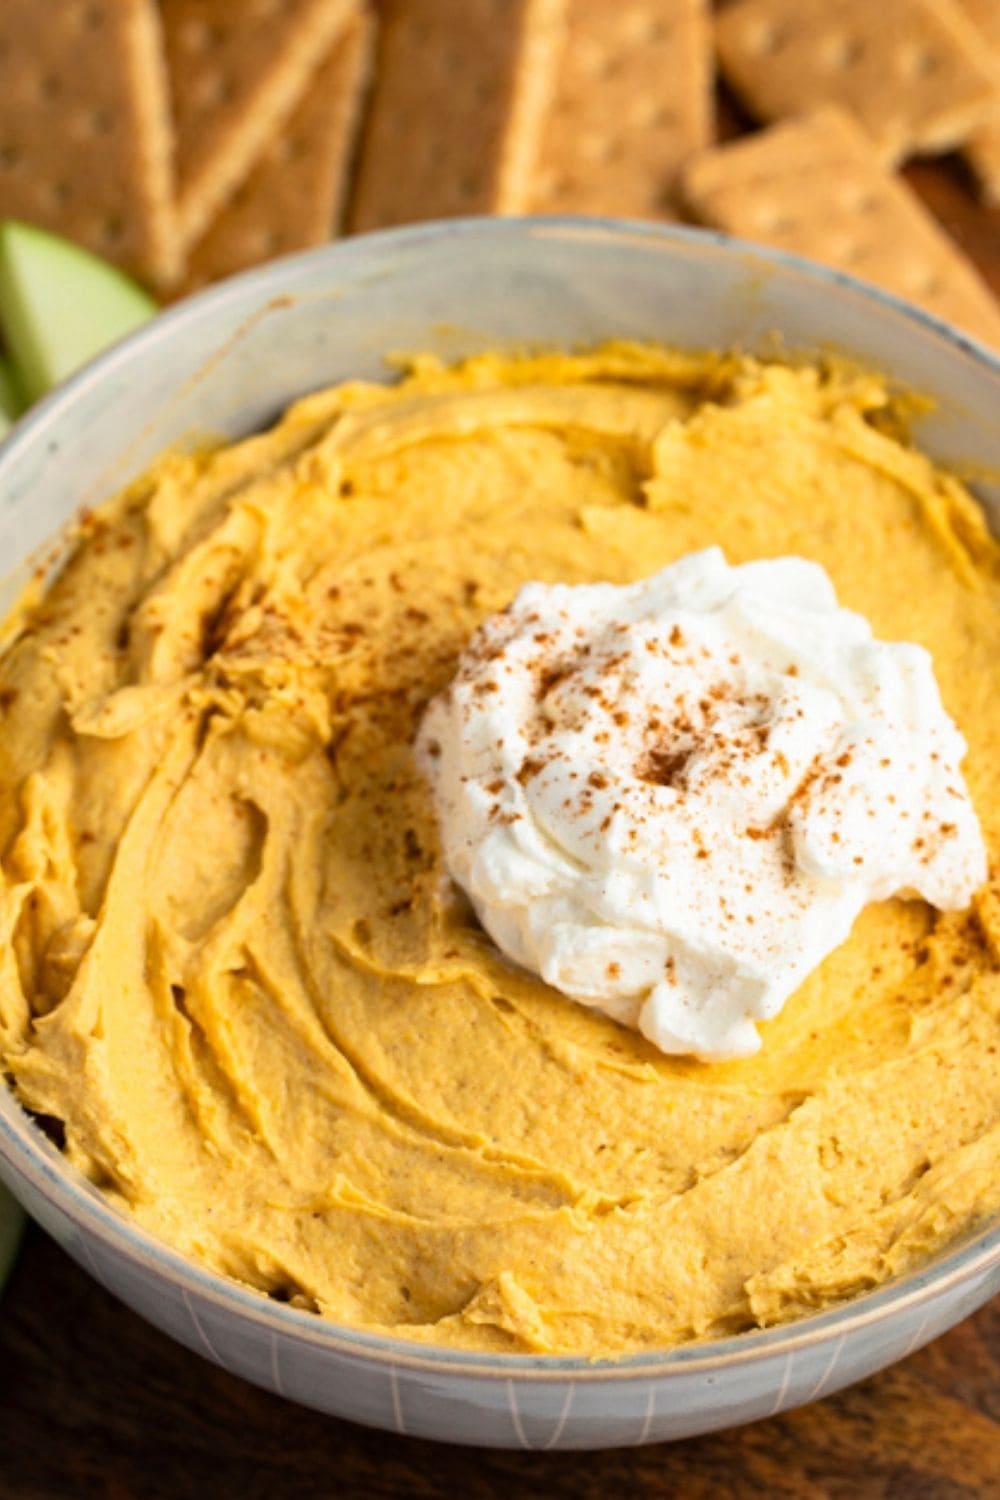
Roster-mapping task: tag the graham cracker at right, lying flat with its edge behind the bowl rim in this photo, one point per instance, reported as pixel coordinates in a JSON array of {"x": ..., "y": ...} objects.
[{"x": 815, "y": 185}]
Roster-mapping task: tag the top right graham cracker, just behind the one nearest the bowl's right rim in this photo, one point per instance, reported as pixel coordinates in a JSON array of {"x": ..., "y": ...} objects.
[{"x": 911, "y": 71}]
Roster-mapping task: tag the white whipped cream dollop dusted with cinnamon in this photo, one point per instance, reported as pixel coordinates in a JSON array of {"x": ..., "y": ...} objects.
[{"x": 672, "y": 800}]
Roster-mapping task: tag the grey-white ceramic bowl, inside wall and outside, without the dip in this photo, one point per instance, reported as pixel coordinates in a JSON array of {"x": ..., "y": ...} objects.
[{"x": 226, "y": 364}]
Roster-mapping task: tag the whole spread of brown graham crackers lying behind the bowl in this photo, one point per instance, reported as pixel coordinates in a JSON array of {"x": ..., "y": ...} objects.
[{"x": 190, "y": 139}]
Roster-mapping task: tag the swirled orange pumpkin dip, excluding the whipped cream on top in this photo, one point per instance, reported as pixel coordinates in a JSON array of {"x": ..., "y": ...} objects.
[{"x": 233, "y": 971}]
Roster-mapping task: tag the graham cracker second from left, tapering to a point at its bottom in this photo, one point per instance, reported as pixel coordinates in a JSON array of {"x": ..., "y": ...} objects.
[{"x": 238, "y": 71}]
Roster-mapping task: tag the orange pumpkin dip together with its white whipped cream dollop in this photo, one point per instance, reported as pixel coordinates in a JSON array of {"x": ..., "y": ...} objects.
[{"x": 509, "y": 859}]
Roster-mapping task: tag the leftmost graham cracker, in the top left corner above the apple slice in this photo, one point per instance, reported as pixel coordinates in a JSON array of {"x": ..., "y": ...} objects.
[{"x": 86, "y": 139}]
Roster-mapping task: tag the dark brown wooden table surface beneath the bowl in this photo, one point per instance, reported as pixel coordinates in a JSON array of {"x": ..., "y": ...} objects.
[{"x": 98, "y": 1405}]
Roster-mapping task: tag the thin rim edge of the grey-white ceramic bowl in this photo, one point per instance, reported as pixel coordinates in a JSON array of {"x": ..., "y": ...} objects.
[{"x": 32, "y": 1157}]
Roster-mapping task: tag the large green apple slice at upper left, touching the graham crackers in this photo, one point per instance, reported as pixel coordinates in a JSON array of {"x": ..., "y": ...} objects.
[{"x": 61, "y": 305}]
